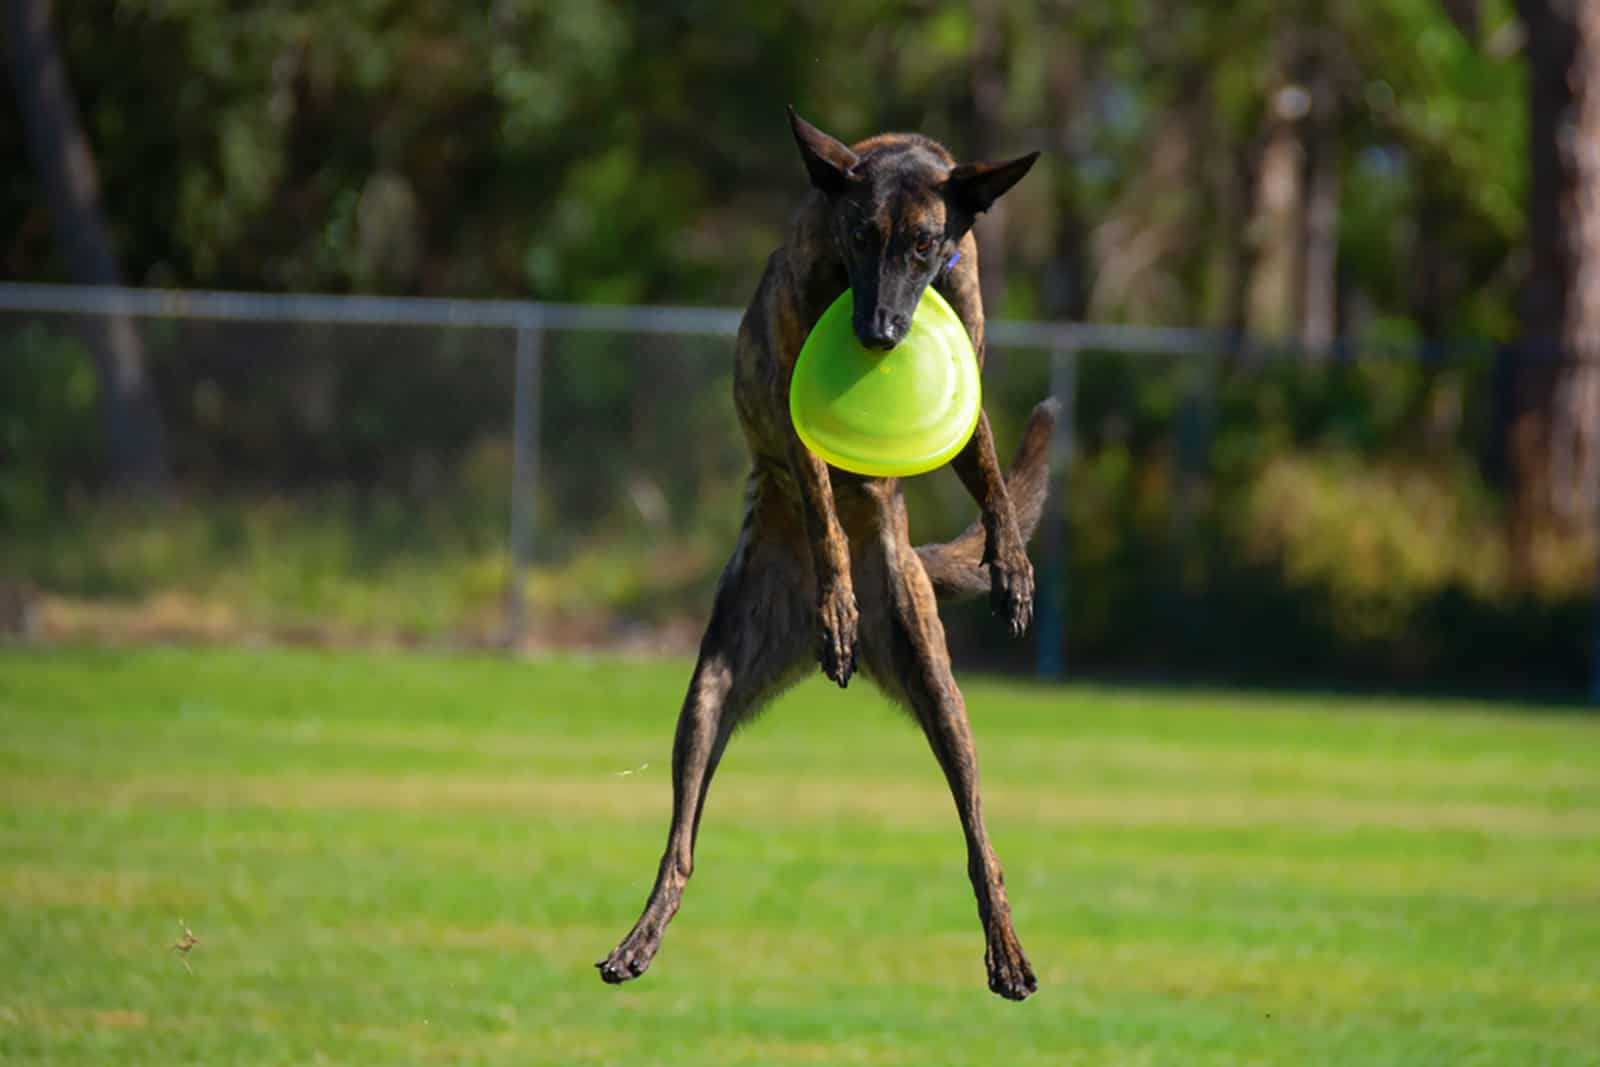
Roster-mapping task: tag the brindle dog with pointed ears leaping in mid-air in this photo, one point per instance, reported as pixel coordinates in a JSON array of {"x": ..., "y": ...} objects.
[{"x": 825, "y": 564}]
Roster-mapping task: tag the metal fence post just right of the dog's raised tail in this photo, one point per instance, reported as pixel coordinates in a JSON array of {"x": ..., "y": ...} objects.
[{"x": 1050, "y": 628}]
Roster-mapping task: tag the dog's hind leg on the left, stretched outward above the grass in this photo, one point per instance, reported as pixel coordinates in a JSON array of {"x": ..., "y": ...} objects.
[{"x": 758, "y": 642}]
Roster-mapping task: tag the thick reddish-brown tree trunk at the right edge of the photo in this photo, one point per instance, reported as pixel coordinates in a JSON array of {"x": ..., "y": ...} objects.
[{"x": 1554, "y": 434}]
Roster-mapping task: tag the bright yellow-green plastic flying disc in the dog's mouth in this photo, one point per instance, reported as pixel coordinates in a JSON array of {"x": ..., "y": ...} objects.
[{"x": 887, "y": 414}]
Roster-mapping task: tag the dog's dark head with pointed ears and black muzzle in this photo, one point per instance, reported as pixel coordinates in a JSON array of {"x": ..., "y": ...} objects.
[{"x": 897, "y": 212}]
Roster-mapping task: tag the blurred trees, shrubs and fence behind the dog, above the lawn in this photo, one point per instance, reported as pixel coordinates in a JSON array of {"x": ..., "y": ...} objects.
[{"x": 1364, "y": 449}]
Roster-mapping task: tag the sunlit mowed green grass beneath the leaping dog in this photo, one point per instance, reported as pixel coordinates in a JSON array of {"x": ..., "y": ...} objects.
[{"x": 398, "y": 860}]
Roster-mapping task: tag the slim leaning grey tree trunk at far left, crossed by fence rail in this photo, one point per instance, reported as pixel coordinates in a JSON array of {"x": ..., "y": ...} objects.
[{"x": 66, "y": 170}]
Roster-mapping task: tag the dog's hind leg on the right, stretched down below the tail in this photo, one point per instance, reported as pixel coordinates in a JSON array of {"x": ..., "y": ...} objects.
[{"x": 903, "y": 650}]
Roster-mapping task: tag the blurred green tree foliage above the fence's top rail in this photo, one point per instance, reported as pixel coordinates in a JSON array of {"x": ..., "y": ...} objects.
[{"x": 612, "y": 153}]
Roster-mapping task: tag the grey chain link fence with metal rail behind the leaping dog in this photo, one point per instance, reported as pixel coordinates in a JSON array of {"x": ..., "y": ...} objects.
[{"x": 510, "y": 473}]
